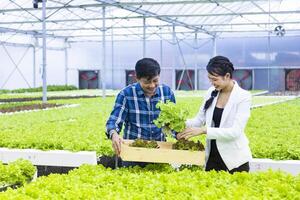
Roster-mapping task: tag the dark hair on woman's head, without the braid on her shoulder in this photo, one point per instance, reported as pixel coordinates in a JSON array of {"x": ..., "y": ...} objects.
[{"x": 220, "y": 65}]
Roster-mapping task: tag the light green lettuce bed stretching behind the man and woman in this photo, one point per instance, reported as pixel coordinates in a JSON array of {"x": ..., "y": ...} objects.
[{"x": 273, "y": 131}]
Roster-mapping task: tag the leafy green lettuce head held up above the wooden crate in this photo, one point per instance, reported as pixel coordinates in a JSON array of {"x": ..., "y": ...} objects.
[{"x": 172, "y": 117}]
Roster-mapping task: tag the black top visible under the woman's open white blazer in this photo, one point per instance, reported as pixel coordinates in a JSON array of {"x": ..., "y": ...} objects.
[{"x": 217, "y": 116}]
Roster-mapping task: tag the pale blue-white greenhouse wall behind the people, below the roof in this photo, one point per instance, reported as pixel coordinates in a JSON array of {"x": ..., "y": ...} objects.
[{"x": 245, "y": 53}]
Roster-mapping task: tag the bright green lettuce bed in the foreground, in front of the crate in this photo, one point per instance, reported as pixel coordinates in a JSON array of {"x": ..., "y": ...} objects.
[{"x": 158, "y": 182}]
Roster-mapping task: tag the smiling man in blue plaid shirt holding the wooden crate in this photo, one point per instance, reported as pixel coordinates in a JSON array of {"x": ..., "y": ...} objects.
[{"x": 135, "y": 106}]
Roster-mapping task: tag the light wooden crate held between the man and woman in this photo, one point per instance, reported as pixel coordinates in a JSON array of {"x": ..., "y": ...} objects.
[{"x": 164, "y": 154}]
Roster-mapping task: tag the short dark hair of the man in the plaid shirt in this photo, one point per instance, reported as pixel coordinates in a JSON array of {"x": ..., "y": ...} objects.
[{"x": 147, "y": 68}]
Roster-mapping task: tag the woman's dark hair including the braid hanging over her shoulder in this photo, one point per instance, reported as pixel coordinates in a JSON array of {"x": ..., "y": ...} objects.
[{"x": 218, "y": 65}]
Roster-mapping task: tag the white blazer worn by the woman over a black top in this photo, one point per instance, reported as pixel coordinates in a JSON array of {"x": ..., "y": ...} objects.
[{"x": 231, "y": 140}]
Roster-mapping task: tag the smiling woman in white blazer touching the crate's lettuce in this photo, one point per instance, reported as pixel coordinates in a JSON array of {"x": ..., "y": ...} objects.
[{"x": 225, "y": 113}]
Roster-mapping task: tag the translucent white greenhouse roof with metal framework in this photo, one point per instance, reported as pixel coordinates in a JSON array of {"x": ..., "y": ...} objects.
[{"x": 125, "y": 20}]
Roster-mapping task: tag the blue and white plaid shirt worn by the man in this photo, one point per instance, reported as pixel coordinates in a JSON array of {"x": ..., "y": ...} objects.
[{"x": 137, "y": 111}]
